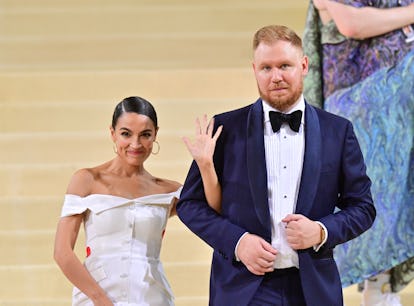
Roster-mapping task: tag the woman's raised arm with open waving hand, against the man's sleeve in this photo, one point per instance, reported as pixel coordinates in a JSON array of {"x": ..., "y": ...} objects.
[{"x": 202, "y": 151}]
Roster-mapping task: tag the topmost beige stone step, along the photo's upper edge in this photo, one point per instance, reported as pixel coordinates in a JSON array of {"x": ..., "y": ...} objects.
[{"x": 120, "y": 18}]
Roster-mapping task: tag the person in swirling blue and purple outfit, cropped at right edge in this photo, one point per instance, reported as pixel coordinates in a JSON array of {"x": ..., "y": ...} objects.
[{"x": 362, "y": 67}]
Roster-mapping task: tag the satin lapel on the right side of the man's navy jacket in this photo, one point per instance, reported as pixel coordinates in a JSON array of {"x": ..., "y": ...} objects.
[{"x": 311, "y": 162}]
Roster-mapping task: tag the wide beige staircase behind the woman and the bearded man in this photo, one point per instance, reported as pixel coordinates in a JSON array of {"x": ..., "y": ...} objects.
[{"x": 64, "y": 65}]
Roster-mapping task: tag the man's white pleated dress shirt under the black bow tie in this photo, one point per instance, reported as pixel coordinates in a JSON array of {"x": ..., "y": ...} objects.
[{"x": 284, "y": 160}]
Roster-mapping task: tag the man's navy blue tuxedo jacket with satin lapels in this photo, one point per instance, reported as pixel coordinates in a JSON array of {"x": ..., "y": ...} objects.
[{"x": 333, "y": 176}]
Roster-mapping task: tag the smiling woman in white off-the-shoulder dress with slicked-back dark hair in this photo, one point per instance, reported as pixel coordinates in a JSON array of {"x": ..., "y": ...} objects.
[{"x": 124, "y": 209}]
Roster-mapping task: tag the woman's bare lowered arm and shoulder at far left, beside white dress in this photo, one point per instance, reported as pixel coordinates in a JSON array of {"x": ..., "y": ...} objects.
[{"x": 65, "y": 240}]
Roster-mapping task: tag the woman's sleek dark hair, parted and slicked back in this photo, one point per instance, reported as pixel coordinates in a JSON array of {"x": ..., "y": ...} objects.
[{"x": 136, "y": 105}]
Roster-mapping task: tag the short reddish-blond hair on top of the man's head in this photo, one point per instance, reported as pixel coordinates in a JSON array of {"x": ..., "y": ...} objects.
[{"x": 273, "y": 33}]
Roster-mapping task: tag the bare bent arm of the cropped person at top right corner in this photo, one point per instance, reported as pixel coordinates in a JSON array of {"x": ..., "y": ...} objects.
[{"x": 364, "y": 22}]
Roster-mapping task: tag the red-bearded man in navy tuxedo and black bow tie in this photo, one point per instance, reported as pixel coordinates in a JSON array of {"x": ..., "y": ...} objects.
[{"x": 281, "y": 184}]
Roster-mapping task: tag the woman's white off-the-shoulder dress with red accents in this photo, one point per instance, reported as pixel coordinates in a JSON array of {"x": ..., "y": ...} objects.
[{"x": 123, "y": 244}]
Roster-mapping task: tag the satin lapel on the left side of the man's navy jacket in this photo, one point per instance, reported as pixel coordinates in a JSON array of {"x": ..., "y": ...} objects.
[{"x": 256, "y": 163}]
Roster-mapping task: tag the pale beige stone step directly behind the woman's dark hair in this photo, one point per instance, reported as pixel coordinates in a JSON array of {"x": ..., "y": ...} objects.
[{"x": 91, "y": 116}]
